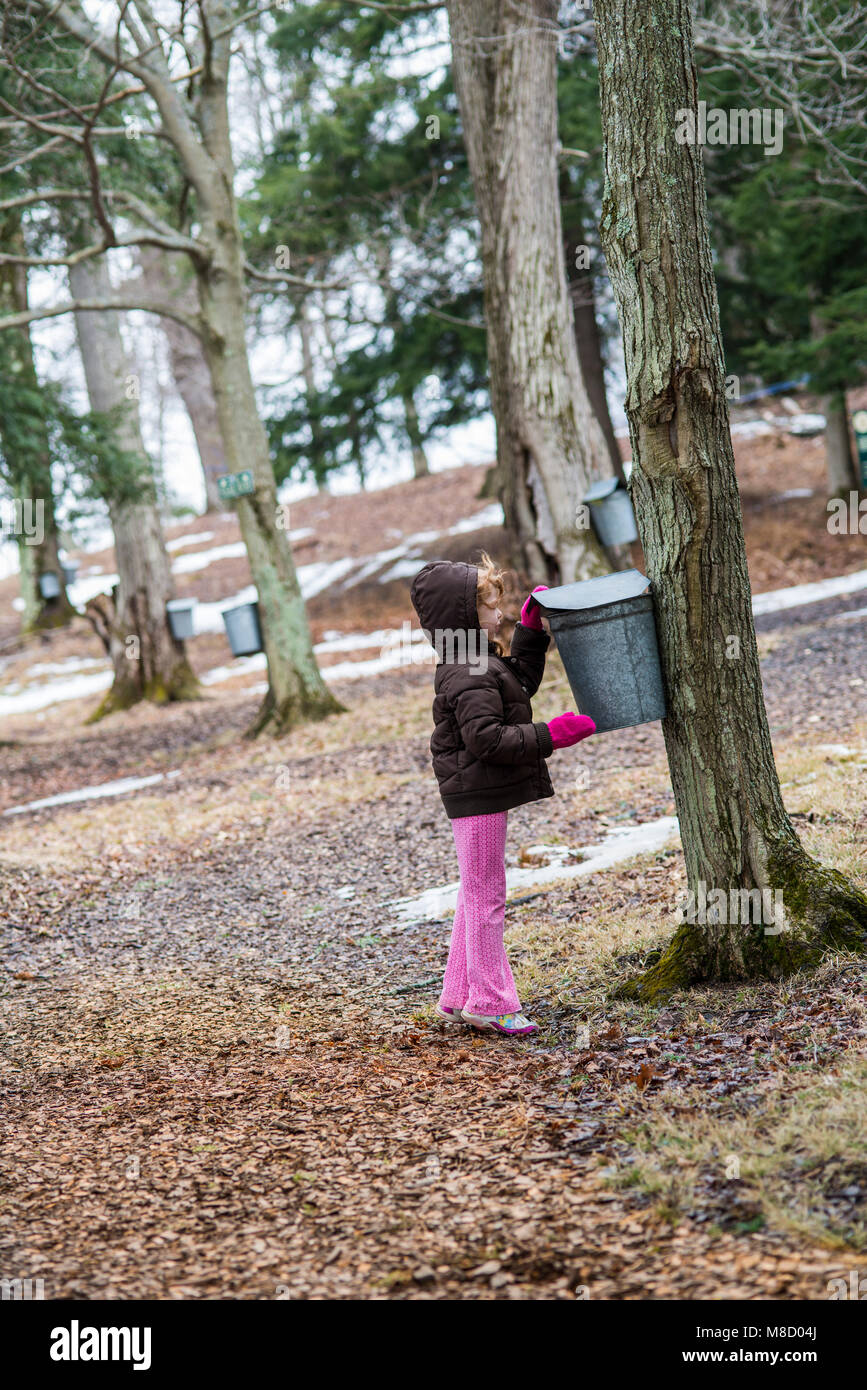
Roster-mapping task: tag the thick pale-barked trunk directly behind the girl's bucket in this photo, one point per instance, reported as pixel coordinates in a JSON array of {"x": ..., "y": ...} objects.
[{"x": 550, "y": 443}]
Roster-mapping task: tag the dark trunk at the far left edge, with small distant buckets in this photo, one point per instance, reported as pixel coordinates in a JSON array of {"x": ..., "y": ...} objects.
[{"x": 28, "y": 455}]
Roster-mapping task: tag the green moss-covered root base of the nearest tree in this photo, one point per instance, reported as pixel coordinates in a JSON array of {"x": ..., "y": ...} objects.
[{"x": 823, "y": 913}]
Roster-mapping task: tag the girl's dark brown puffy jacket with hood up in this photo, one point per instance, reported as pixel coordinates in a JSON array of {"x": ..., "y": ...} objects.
[{"x": 488, "y": 754}]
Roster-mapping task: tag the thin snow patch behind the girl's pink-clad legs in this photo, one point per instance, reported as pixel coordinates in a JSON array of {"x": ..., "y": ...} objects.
[{"x": 620, "y": 844}]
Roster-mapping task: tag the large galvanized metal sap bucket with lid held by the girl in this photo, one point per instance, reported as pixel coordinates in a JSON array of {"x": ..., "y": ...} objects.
[{"x": 606, "y": 636}]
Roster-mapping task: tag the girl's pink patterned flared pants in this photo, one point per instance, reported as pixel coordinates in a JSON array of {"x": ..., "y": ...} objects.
[{"x": 479, "y": 976}]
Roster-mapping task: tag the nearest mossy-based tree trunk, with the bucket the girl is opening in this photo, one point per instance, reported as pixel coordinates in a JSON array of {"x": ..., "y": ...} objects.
[{"x": 734, "y": 828}]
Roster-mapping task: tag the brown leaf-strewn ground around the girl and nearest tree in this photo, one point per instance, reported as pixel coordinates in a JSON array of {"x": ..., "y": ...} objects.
[{"x": 223, "y": 1077}]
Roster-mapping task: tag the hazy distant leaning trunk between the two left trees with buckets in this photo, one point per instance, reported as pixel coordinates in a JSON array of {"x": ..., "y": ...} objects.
[{"x": 190, "y": 369}]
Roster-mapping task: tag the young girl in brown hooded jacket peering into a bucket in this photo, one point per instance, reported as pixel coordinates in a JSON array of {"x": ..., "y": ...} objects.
[{"x": 488, "y": 757}]
